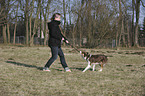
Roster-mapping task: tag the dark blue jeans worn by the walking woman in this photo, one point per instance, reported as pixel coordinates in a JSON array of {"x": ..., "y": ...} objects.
[{"x": 56, "y": 51}]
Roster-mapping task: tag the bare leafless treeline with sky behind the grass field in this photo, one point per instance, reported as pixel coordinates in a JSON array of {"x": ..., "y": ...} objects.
[{"x": 87, "y": 23}]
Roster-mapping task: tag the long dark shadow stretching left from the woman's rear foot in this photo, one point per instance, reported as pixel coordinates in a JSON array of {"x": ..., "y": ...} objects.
[{"x": 25, "y": 65}]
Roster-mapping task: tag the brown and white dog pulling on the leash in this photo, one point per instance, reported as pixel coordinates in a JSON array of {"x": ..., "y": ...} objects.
[{"x": 93, "y": 60}]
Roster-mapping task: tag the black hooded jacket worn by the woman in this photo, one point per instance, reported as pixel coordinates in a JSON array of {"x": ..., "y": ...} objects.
[{"x": 55, "y": 35}]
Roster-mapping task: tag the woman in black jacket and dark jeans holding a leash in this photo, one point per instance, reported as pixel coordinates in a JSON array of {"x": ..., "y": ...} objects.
[{"x": 55, "y": 37}]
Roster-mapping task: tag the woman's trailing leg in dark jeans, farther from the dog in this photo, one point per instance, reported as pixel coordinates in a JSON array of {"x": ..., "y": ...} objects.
[{"x": 54, "y": 52}]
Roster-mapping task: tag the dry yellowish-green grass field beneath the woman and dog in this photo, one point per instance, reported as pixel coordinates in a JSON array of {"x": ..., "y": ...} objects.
[{"x": 21, "y": 73}]
